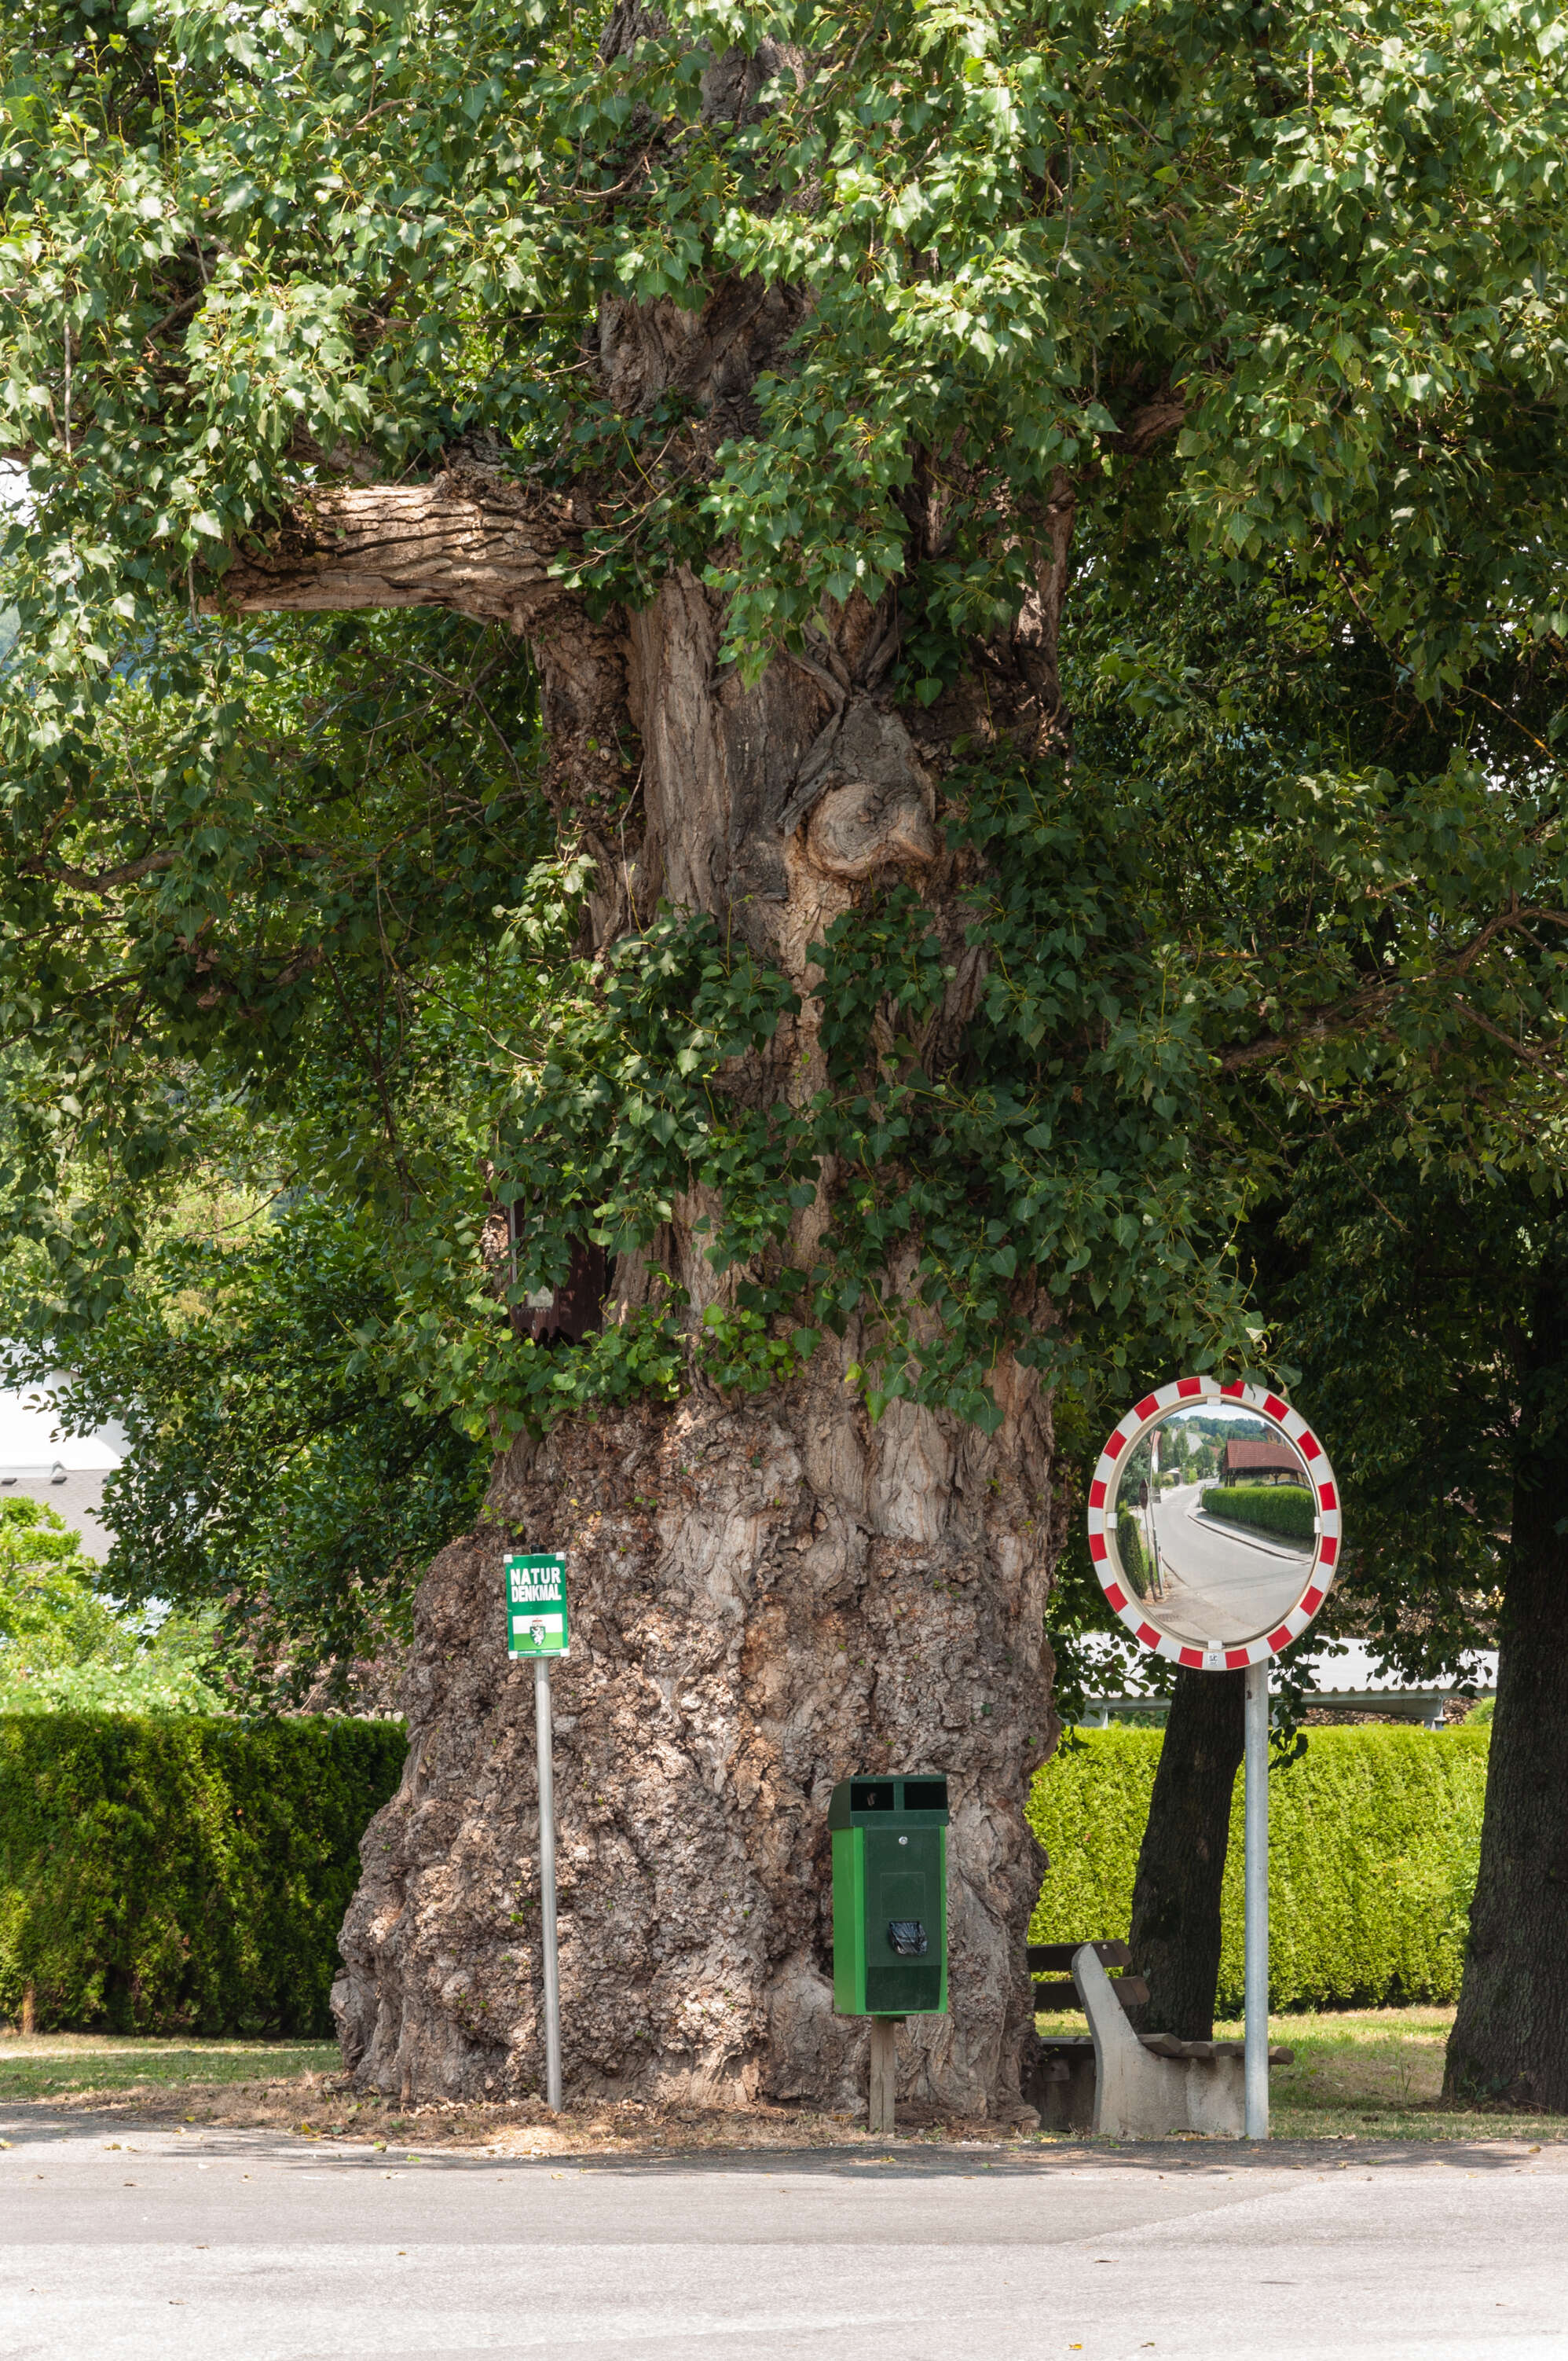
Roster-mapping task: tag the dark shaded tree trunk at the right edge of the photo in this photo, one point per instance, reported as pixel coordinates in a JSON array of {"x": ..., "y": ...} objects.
[{"x": 1510, "y": 2036}]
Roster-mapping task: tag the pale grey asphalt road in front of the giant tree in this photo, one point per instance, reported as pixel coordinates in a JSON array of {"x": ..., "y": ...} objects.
[{"x": 124, "y": 2244}]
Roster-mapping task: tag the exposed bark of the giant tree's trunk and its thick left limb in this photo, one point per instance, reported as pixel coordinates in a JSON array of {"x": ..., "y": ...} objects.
[{"x": 766, "y": 1597}]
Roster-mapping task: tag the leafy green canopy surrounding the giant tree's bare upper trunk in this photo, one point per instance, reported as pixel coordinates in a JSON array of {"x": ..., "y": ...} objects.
[{"x": 1239, "y": 329}]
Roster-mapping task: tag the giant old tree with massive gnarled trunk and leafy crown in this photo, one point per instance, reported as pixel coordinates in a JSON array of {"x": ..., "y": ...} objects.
[{"x": 766, "y": 381}]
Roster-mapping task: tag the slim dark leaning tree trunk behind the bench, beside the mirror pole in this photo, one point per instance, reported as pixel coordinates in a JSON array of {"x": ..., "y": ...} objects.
[{"x": 1182, "y": 1864}]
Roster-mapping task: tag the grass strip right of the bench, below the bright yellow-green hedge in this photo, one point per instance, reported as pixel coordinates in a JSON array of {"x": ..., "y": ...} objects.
[{"x": 1371, "y": 2074}]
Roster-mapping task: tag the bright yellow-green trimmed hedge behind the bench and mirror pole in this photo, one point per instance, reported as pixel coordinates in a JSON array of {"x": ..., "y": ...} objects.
[{"x": 1373, "y": 1845}]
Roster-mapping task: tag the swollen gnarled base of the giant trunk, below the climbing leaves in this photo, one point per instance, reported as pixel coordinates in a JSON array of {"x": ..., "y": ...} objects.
[{"x": 764, "y": 1602}]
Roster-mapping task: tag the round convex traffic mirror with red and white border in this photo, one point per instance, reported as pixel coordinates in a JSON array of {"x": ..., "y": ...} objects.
[{"x": 1215, "y": 1524}]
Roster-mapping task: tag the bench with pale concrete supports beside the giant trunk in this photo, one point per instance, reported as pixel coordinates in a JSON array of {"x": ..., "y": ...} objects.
[{"x": 1132, "y": 2086}]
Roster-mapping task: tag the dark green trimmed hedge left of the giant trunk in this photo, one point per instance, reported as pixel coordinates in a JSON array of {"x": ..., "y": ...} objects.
[{"x": 183, "y": 1873}]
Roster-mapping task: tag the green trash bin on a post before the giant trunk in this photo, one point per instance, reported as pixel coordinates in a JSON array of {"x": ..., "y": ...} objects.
[{"x": 889, "y": 1897}]
